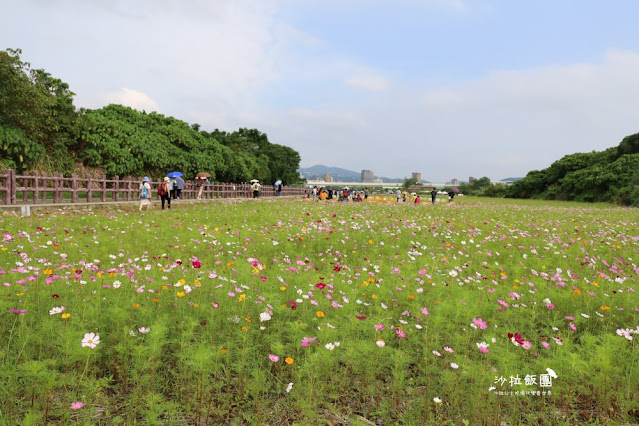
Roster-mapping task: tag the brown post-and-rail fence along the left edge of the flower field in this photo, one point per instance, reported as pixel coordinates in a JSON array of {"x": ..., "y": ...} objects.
[{"x": 36, "y": 188}]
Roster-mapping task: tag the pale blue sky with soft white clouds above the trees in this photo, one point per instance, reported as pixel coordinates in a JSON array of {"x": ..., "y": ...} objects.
[{"x": 447, "y": 88}]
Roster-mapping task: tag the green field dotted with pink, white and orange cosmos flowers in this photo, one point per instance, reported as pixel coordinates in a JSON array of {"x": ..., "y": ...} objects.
[{"x": 281, "y": 311}]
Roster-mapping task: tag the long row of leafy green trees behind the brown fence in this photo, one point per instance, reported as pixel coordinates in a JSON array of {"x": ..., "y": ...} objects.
[{"x": 40, "y": 129}]
